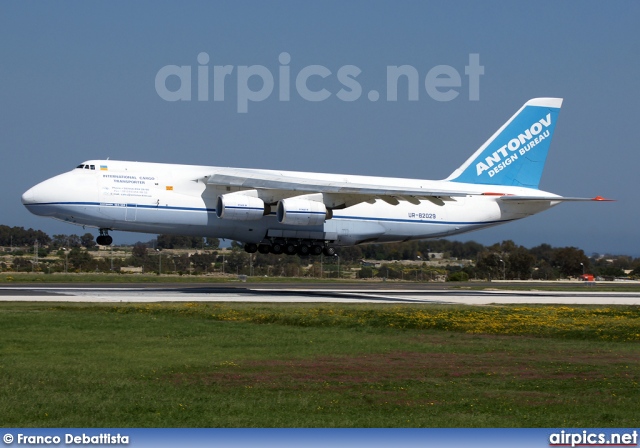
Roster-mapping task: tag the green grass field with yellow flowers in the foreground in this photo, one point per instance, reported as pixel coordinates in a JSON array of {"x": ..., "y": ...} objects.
[{"x": 274, "y": 365}]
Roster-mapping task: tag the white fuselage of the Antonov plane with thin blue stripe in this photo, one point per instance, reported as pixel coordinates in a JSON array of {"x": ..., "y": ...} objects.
[{"x": 176, "y": 199}]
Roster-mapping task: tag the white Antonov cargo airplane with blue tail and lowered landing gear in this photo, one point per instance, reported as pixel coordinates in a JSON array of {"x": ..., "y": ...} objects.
[{"x": 311, "y": 213}]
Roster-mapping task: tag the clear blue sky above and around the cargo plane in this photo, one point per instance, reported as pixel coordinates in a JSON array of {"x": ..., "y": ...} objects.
[{"x": 77, "y": 82}]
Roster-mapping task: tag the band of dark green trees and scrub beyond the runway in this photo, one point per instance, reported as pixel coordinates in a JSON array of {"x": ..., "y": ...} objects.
[{"x": 408, "y": 260}]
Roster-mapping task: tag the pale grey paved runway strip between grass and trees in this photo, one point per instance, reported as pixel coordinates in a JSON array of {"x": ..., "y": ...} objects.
[{"x": 276, "y": 294}]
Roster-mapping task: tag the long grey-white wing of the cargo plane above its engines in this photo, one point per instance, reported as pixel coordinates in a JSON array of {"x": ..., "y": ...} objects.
[{"x": 346, "y": 192}]
